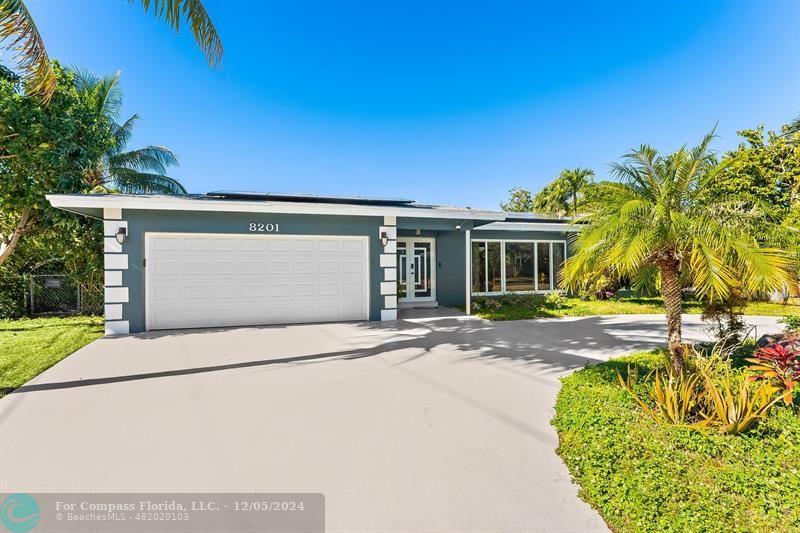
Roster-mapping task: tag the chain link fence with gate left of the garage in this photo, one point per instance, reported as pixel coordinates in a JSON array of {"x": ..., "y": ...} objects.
[{"x": 53, "y": 294}]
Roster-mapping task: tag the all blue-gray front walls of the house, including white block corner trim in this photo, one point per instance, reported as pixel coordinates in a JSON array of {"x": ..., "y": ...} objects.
[{"x": 451, "y": 251}]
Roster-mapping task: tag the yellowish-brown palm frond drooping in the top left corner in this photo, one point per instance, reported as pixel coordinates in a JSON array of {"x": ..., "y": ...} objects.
[{"x": 18, "y": 28}]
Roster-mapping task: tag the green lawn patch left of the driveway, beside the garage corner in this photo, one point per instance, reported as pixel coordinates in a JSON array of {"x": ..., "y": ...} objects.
[{"x": 28, "y": 347}]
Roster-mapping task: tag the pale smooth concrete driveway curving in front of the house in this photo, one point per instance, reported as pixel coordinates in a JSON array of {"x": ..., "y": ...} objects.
[{"x": 439, "y": 423}]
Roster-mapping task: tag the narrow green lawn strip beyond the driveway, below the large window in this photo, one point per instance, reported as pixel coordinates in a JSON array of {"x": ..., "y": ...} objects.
[{"x": 537, "y": 308}]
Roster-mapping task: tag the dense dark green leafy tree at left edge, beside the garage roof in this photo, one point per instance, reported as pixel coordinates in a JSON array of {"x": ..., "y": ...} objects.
[{"x": 44, "y": 149}]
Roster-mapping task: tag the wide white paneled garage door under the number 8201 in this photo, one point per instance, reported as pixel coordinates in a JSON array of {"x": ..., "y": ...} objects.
[{"x": 195, "y": 280}]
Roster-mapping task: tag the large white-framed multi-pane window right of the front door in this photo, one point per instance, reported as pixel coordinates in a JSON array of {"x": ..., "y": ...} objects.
[{"x": 516, "y": 266}]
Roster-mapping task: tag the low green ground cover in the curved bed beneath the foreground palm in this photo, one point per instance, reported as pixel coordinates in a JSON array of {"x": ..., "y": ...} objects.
[{"x": 643, "y": 476}]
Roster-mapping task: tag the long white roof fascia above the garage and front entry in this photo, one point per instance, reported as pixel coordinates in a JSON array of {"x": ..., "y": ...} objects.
[{"x": 88, "y": 201}]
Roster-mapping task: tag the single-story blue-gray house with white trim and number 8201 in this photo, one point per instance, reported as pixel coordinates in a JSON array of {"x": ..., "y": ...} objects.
[{"x": 237, "y": 259}]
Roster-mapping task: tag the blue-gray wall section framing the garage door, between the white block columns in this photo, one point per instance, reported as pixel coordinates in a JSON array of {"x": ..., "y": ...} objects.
[{"x": 141, "y": 222}]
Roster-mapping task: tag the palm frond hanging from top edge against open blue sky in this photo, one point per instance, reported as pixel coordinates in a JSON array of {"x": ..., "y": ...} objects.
[{"x": 173, "y": 12}]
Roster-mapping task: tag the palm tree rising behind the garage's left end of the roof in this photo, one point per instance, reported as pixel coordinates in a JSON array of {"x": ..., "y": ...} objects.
[{"x": 140, "y": 171}]
